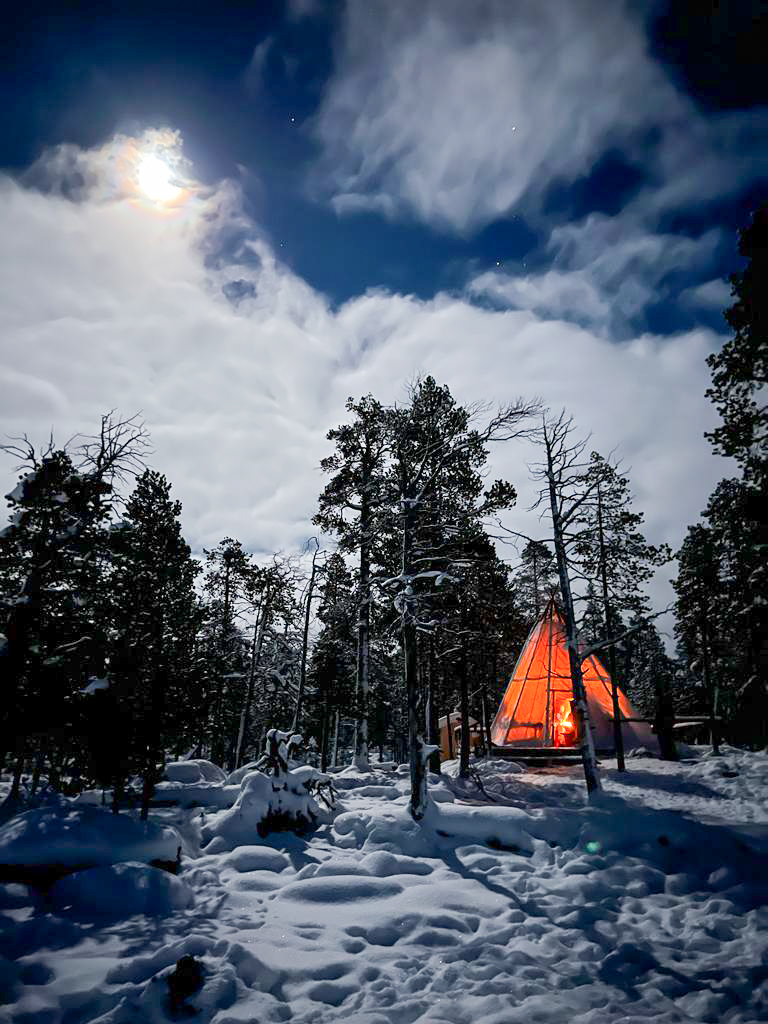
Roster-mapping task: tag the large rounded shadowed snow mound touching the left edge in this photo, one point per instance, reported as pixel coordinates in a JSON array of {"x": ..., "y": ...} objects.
[{"x": 62, "y": 835}]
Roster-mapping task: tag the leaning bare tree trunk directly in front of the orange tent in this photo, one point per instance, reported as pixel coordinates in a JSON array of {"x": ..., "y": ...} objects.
[{"x": 581, "y": 709}]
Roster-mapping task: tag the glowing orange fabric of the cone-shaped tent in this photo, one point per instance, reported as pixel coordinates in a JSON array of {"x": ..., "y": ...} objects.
[{"x": 536, "y": 707}]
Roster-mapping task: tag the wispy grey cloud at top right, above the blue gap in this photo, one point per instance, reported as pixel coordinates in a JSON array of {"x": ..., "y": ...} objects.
[{"x": 456, "y": 113}]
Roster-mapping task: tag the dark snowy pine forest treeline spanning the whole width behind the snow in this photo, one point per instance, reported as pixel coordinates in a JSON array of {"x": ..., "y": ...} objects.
[{"x": 120, "y": 650}]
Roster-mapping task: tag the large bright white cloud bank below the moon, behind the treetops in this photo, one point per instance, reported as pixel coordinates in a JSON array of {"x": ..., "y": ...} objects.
[{"x": 110, "y": 304}]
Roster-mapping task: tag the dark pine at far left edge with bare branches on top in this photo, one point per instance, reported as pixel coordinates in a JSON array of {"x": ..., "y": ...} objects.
[{"x": 54, "y": 558}]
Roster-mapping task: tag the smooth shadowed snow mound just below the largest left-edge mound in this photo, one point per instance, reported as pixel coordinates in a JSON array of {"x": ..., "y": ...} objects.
[{"x": 120, "y": 891}]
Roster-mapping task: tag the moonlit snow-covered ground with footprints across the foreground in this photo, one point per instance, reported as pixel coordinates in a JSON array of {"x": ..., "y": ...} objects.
[{"x": 649, "y": 904}]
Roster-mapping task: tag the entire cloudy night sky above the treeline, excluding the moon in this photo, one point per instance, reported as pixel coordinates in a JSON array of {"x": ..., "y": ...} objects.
[{"x": 530, "y": 198}]
